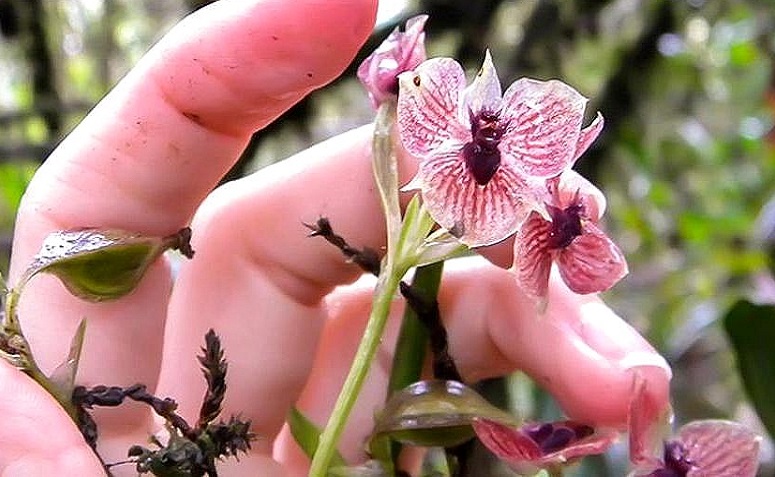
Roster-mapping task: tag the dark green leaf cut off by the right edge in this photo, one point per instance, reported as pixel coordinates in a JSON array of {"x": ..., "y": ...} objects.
[{"x": 751, "y": 331}]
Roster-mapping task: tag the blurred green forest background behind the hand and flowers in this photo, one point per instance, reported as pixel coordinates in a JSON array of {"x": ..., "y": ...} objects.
[{"x": 686, "y": 160}]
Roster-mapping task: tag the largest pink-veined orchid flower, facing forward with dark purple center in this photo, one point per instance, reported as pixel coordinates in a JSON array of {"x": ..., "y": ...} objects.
[{"x": 482, "y": 154}]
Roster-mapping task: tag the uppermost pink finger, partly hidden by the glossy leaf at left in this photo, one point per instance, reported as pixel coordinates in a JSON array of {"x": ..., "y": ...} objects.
[{"x": 148, "y": 154}]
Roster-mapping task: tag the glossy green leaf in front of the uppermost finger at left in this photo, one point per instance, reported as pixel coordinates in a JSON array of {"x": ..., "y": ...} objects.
[{"x": 98, "y": 265}]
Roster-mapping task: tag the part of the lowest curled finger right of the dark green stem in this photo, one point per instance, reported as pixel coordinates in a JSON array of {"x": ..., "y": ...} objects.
[{"x": 579, "y": 349}]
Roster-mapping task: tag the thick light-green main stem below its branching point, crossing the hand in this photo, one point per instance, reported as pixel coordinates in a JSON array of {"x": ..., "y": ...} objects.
[{"x": 372, "y": 337}]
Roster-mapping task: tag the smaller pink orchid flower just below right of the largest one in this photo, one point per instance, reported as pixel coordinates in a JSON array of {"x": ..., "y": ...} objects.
[{"x": 587, "y": 259}]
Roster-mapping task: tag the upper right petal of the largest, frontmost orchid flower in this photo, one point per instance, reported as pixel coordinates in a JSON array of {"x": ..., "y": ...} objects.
[{"x": 543, "y": 126}]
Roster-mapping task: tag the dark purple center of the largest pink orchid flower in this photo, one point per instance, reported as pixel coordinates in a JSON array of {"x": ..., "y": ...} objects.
[{"x": 481, "y": 154}]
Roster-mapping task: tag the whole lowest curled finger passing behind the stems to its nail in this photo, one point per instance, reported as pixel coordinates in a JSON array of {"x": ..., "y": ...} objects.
[{"x": 580, "y": 351}]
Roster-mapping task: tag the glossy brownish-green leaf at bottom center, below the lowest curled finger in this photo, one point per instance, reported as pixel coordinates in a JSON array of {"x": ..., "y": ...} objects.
[{"x": 435, "y": 413}]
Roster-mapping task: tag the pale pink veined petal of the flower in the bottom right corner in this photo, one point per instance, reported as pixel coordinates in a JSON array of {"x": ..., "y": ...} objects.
[{"x": 720, "y": 449}]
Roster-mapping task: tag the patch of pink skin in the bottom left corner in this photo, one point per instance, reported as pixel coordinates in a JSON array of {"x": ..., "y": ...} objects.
[{"x": 37, "y": 438}]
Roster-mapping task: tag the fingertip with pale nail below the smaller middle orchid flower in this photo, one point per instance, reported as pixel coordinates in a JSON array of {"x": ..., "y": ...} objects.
[{"x": 598, "y": 354}]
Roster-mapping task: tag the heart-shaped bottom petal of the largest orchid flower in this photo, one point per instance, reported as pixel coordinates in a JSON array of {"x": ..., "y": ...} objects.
[{"x": 477, "y": 215}]
